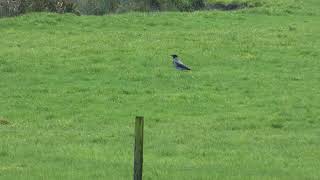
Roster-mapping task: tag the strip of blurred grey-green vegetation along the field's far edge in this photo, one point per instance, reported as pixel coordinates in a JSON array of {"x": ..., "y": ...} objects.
[{"x": 100, "y": 7}]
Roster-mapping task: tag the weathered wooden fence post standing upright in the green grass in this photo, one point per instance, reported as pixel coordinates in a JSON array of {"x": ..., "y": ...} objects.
[{"x": 138, "y": 148}]
